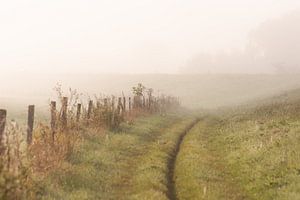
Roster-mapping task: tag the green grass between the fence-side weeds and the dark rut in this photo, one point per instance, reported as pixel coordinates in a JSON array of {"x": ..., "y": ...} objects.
[{"x": 128, "y": 164}]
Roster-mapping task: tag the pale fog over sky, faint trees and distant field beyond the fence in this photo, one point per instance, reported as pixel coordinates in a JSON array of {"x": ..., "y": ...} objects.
[{"x": 108, "y": 46}]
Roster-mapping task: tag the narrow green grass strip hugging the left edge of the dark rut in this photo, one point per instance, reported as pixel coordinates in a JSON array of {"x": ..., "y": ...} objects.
[{"x": 150, "y": 180}]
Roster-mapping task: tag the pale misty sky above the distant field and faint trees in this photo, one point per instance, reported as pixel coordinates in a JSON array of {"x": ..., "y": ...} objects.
[{"x": 132, "y": 36}]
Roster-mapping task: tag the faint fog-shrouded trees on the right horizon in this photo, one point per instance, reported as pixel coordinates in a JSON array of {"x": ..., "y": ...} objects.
[{"x": 272, "y": 48}]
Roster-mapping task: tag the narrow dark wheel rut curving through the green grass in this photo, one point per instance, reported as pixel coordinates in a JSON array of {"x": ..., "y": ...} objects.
[{"x": 172, "y": 162}]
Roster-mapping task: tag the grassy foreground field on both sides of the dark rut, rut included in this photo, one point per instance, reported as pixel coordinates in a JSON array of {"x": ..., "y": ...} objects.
[{"x": 249, "y": 152}]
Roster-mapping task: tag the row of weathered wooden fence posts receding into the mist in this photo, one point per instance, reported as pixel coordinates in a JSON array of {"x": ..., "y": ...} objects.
[{"x": 107, "y": 113}]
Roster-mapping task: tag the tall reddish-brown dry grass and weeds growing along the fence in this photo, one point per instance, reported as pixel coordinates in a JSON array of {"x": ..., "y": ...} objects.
[{"x": 22, "y": 166}]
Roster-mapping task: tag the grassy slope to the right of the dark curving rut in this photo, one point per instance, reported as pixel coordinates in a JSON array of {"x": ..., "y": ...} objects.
[{"x": 246, "y": 154}]
